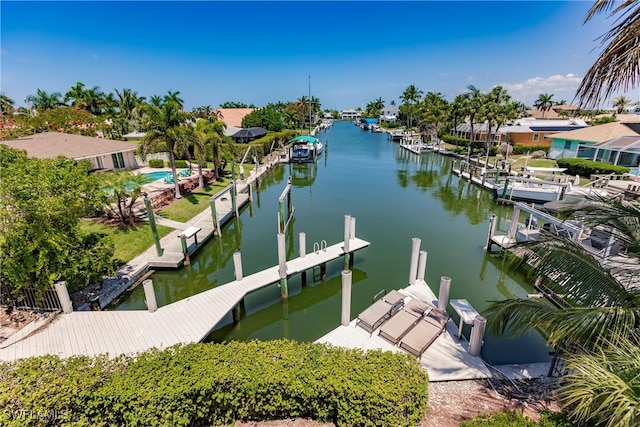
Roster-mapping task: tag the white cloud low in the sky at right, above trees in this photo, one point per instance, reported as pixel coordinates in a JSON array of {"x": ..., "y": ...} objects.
[{"x": 561, "y": 86}]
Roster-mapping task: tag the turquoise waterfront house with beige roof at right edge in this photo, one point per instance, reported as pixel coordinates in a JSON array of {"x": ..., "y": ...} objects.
[{"x": 616, "y": 143}]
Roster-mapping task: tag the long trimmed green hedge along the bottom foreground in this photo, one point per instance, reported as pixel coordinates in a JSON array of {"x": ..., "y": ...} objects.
[{"x": 213, "y": 384}]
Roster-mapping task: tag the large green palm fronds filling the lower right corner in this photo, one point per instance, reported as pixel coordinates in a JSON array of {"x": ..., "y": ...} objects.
[{"x": 596, "y": 314}]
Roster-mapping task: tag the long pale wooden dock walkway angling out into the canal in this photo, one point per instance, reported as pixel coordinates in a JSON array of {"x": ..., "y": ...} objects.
[{"x": 128, "y": 332}]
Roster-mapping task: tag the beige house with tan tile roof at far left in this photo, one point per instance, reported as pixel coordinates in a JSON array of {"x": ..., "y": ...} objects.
[{"x": 104, "y": 154}]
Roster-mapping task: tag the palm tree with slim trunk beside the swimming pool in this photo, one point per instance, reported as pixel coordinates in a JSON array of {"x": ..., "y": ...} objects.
[{"x": 162, "y": 124}]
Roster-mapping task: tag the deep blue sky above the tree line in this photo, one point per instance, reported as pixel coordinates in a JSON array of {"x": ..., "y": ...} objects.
[{"x": 259, "y": 52}]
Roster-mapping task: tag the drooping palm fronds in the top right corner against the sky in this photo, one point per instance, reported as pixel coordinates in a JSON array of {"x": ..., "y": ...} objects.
[{"x": 618, "y": 66}]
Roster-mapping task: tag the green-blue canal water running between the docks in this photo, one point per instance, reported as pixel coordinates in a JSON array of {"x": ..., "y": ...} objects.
[{"x": 394, "y": 196}]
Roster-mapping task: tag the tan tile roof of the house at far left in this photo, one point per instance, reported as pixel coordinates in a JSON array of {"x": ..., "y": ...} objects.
[{"x": 50, "y": 145}]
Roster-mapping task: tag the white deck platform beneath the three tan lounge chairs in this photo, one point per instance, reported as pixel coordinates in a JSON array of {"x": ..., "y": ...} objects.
[{"x": 447, "y": 359}]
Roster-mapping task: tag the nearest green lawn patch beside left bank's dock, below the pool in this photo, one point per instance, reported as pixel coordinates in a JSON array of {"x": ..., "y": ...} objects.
[{"x": 129, "y": 242}]
